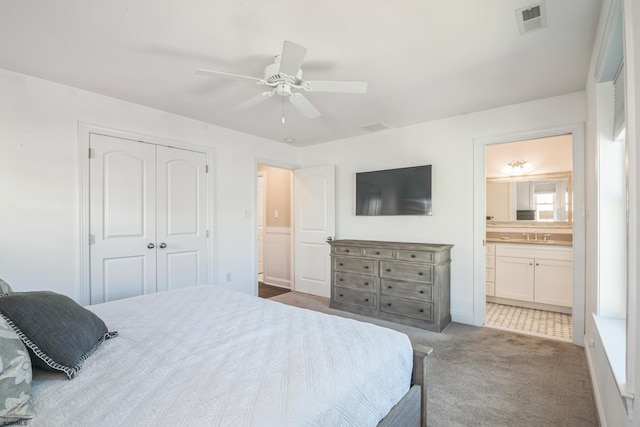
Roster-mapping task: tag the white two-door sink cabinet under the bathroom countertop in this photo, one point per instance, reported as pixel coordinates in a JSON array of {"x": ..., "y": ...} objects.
[{"x": 534, "y": 273}]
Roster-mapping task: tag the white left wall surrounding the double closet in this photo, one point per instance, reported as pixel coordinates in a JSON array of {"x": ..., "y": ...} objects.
[{"x": 39, "y": 189}]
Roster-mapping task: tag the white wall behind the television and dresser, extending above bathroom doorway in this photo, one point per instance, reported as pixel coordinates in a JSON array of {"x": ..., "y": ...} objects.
[{"x": 447, "y": 145}]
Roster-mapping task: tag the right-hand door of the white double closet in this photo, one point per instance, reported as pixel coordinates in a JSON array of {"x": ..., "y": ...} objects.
[{"x": 181, "y": 218}]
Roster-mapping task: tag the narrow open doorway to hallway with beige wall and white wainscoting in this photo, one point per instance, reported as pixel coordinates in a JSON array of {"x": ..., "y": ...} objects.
[{"x": 274, "y": 222}]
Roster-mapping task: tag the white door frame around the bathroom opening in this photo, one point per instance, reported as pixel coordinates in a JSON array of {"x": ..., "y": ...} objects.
[{"x": 579, "y": 219}]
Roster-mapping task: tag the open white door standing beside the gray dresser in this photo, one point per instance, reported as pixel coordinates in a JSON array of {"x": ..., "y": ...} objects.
[{"x": 314, "y": 223}]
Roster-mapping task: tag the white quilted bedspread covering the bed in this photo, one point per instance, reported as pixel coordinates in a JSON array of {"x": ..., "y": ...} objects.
[{"x": 210, "y": 356}]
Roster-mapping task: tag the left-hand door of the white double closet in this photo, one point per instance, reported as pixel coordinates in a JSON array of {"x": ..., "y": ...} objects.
[{"x": 122, "y": 206}]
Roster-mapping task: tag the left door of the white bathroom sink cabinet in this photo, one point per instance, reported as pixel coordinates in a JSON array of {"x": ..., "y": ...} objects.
[{"x": 514, "y": 278}]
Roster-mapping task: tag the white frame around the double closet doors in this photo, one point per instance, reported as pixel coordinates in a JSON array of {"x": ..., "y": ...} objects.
[{"x": 84, "y": 132}]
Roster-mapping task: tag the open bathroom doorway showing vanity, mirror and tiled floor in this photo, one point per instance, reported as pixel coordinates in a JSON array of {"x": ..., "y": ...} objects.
[{"x": 529, "y": 236}]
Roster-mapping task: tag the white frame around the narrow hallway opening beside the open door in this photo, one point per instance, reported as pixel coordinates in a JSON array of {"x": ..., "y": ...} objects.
[{"x": 254, "y": 264}]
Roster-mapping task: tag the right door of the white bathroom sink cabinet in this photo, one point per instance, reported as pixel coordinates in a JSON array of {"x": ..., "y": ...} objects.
[{"x": 554, "y": 282}]
